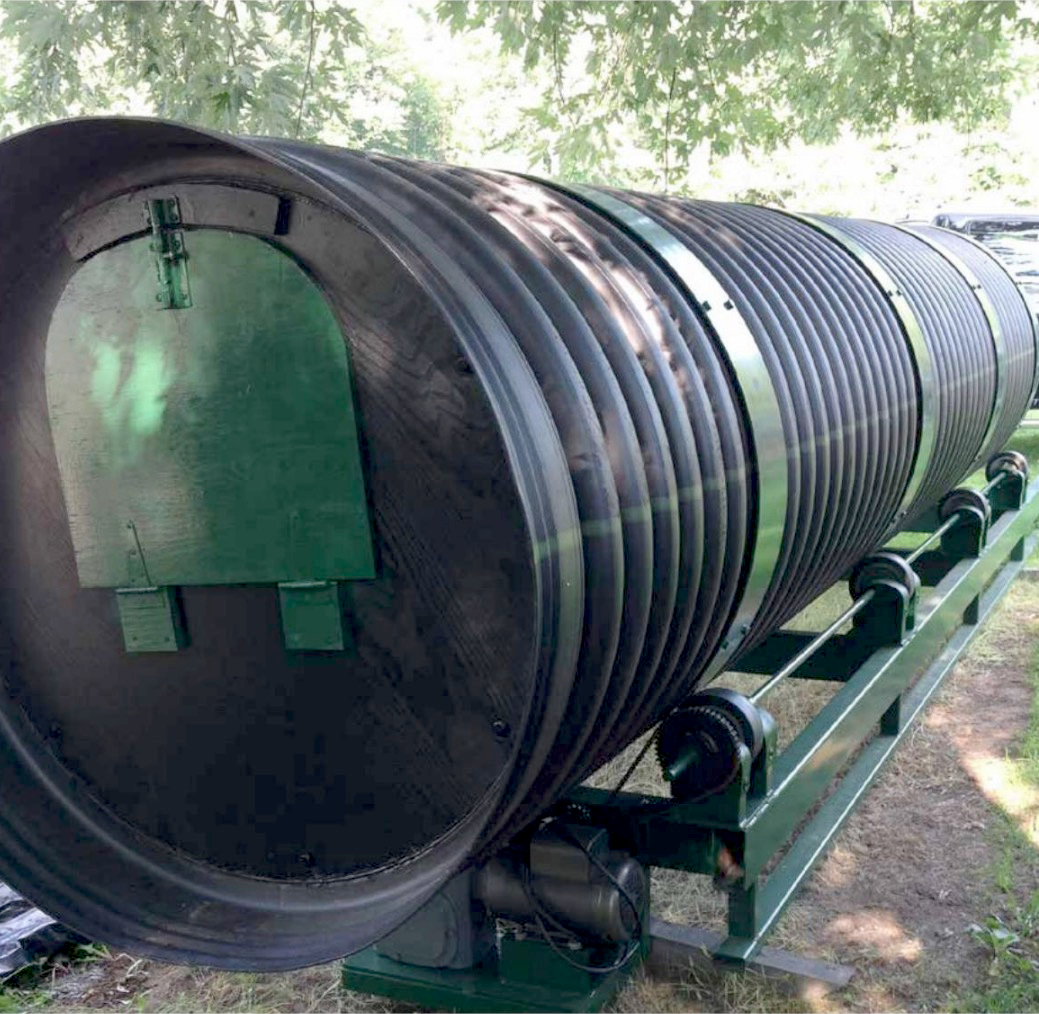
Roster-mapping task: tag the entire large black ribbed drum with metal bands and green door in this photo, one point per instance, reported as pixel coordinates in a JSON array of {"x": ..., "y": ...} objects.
[{"x": 352, "y": 509}]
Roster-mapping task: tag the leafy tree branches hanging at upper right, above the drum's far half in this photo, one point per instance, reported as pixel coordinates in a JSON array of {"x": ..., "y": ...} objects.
[{"x": 730, "y": 75}]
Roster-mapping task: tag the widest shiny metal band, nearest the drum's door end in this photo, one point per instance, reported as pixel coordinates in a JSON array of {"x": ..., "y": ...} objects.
[{"x": 744, "y": 358}]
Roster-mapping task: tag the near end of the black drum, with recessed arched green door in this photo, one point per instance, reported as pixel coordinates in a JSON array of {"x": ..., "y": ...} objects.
[{"x": 270, "y": 610}]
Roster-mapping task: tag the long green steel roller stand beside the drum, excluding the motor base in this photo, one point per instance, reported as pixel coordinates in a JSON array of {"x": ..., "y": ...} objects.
[{"x": 737, "y": 834}]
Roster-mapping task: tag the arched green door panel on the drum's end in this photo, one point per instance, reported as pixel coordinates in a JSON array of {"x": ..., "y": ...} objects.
[{"x": 210, "y": 445}]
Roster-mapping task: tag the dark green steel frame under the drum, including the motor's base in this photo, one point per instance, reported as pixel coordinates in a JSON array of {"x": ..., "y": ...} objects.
[{"x": 966, "y": 567}]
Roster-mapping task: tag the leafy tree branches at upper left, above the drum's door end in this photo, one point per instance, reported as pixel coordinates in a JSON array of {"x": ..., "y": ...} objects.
[{"x": 265, "y": 68}]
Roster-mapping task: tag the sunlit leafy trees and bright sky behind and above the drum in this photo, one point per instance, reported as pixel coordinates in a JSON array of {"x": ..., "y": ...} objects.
[{"x": 684, "y": 96}]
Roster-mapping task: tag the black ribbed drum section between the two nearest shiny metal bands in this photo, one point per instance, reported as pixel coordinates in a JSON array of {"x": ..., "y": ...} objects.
[{"x": 843, "y": 375}]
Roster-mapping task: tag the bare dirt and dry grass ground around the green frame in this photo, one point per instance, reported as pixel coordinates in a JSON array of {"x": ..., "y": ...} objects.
[{"x": 946, "y": 834}]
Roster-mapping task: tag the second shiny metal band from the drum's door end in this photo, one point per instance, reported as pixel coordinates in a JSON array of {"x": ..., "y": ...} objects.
[{"x": 918, "y": 349}]
